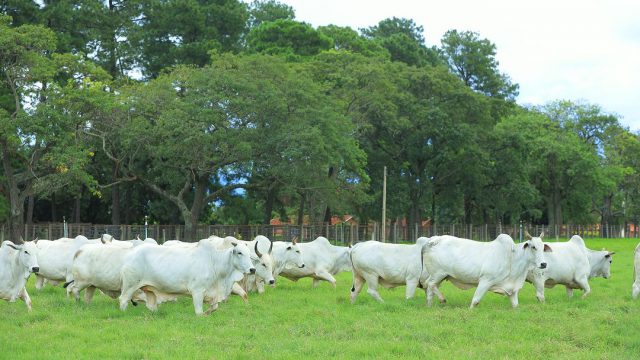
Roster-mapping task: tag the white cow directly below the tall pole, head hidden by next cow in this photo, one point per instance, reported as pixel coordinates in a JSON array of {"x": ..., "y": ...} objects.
[{"x": 389, "y": 265}]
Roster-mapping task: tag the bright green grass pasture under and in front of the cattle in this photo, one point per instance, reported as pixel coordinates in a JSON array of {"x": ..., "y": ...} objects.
[{"x": 294, "y": 320}]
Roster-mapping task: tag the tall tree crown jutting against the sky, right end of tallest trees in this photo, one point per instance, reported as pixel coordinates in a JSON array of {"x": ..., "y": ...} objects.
[{"x": 473, "y": 60}]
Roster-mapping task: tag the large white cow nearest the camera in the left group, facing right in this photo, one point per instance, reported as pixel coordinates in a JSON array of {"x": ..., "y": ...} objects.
[{"x": 202, "y": 271}]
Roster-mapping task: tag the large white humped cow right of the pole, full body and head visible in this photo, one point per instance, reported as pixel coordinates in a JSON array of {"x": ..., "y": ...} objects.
[{"x": 500, "y": 266}]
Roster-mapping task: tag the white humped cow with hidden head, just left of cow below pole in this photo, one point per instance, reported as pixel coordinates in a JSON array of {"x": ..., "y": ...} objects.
[{"x": 321, "y": 261}]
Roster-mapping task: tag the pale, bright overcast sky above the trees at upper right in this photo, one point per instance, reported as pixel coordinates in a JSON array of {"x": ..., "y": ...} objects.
[{"x": 586, "y": 50}]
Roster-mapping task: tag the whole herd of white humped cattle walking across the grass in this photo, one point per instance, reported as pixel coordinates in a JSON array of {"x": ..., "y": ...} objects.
[{"x": 214, "y": 268}]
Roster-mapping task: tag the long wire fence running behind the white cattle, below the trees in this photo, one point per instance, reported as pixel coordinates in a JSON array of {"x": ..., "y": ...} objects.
[{"x": 344, "y": 233}]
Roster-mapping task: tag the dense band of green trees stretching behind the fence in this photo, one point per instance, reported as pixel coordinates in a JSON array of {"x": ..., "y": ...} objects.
[{"x": 226, "y": 112}]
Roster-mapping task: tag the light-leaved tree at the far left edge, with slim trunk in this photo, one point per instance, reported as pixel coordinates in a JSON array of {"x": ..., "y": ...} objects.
[{"x": 39, "y": 145}]
